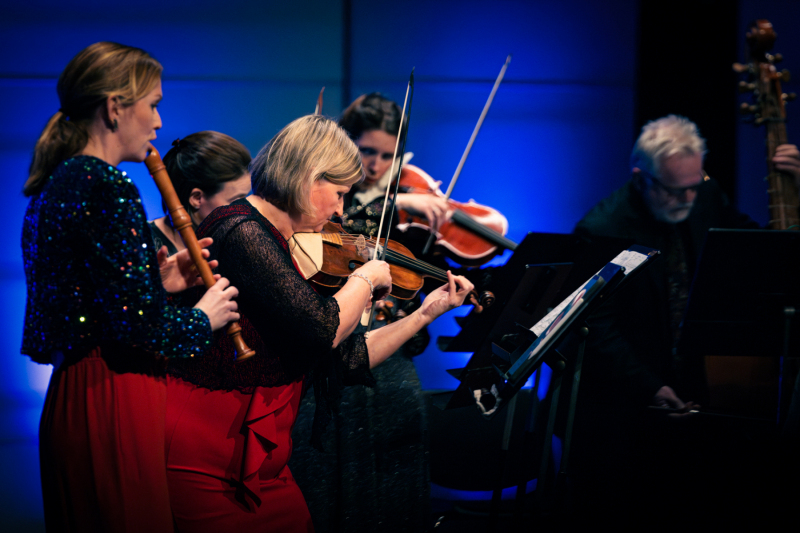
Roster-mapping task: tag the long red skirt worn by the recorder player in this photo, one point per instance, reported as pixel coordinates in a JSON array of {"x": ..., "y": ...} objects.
[{"x": 101, "y": 447}]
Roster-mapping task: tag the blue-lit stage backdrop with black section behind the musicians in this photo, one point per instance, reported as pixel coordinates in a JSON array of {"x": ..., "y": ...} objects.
[{"x": 584, "y": 77}]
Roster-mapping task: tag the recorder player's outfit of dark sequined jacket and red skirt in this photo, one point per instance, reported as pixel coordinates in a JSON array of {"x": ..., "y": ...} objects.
[{"x": 97, "y": 310}]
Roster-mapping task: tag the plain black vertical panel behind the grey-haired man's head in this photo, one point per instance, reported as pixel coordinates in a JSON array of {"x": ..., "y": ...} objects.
[{"x": 685, "y": 53}]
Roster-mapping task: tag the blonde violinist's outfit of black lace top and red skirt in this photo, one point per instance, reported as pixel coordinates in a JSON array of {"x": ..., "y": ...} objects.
[{"x": 229, "y": 424}]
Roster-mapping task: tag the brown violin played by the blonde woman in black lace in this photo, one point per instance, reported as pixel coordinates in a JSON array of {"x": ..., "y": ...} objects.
[{"x": 344, "y": 253}]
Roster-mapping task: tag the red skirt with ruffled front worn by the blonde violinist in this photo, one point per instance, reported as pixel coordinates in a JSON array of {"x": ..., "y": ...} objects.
[{"x": 226, "y": 459}]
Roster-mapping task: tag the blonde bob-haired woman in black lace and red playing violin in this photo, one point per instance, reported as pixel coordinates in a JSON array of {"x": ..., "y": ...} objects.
[{"x": 229, "y": 424}]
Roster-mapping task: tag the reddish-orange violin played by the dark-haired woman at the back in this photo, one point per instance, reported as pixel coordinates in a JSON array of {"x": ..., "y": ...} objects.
[{"x": 473, "y": 234}]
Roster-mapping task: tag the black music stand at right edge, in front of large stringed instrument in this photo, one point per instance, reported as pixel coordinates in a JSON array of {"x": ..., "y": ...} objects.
[{"x": 744, "y": 298}]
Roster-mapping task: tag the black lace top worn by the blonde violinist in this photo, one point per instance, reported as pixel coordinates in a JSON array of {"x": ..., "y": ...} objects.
[{"x": 288, "y": 324}]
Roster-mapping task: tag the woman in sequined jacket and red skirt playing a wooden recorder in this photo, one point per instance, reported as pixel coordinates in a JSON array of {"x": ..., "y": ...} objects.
[{"x": 96, "y": 304}]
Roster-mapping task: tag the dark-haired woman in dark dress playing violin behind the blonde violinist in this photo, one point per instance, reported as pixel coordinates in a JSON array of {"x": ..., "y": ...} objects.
[{"x": 381, "y": 441}]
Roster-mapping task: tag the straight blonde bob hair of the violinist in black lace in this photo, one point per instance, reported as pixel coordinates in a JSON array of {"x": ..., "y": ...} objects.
[{"x": 308, "y": 149}]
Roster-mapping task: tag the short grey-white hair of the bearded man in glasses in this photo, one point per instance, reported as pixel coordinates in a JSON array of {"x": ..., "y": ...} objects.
[{"x": 664, "y": 137}]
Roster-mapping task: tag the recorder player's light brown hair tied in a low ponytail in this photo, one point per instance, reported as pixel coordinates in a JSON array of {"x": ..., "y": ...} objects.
[{"x": 91, "y": 77}]
